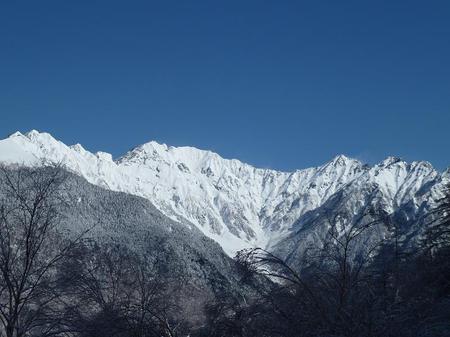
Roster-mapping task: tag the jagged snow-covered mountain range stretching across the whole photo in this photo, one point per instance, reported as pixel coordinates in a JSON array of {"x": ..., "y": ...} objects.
[{"x": 232, "y": 202}]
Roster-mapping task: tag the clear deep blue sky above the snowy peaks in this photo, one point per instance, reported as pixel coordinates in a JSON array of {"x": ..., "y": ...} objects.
[{"x": 281, "y": 84}]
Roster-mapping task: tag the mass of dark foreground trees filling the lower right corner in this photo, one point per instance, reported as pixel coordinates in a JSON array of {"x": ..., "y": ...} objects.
[{"x": 383, "y": 290}]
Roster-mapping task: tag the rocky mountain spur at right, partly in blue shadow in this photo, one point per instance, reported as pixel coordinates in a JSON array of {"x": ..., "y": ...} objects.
[{"x": 391, "y": 192}]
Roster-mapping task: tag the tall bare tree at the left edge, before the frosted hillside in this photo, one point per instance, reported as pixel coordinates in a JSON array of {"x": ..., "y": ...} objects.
[{"x": 31, "y": 248}]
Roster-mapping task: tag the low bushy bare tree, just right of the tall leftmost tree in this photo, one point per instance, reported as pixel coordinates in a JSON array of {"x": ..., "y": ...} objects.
[{"x": 119, "y": 293}]
